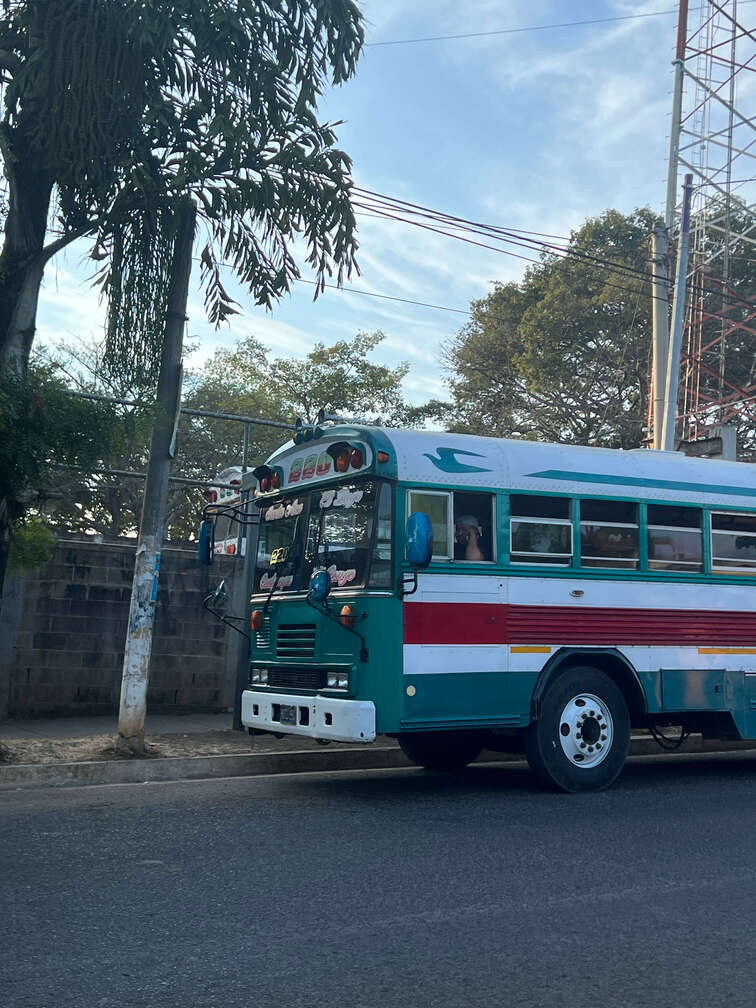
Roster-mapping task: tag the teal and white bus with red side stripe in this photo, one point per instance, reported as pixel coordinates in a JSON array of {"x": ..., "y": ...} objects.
[{"x": 461, "y": 593}]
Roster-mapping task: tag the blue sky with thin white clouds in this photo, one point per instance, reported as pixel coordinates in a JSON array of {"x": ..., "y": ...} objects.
[{"x": 531, "y": 130}]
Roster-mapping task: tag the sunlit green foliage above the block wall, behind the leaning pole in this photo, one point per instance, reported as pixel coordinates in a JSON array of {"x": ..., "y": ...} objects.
[{"x": 242, "y": 382}]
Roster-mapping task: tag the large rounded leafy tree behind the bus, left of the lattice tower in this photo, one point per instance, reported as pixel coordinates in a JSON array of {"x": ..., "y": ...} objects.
[{"x": 563, "y": 355}]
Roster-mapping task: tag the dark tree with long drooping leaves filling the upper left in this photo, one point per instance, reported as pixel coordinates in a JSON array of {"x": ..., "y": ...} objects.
[{"x": 118, "y": 109}]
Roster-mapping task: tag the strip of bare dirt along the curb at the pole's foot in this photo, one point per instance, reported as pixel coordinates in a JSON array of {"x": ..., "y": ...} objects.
[{"x": 102, "y": 747}]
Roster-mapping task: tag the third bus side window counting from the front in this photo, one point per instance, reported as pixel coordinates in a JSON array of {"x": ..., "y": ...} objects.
[{"x": 609, "y": 535}]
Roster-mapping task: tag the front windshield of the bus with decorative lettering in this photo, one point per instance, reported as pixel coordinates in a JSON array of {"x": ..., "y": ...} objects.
[{"x": 345, "y": 531}]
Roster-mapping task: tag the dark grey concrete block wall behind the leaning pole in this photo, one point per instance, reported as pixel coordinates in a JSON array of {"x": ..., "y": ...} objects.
[{"x": 64, "y": 631}]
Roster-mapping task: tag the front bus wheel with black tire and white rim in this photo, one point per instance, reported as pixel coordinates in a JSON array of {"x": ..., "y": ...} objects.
[{"x": 582, "y": 738}]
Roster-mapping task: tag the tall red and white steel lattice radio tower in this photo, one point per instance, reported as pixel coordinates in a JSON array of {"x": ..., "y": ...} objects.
[{"x": 714, "y": 138}]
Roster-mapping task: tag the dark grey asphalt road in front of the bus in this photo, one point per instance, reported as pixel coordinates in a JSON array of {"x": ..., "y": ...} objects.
[{"x": 391, "y": 889}]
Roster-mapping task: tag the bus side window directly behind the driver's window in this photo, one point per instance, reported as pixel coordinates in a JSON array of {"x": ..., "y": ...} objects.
[{"x": 541, "y": 530}]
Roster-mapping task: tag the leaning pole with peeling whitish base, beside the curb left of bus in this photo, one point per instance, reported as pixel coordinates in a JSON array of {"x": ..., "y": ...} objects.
[{"x": 134, "y": 707}]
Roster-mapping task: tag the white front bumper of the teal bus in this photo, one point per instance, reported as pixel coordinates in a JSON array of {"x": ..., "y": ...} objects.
[{"x": 316, "y": 718}]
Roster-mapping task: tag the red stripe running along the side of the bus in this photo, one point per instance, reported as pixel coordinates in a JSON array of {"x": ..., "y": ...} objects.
[{"x": 487, "y": 623}]
